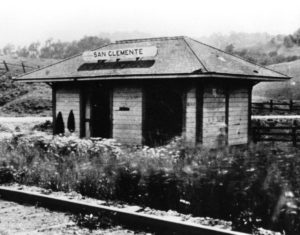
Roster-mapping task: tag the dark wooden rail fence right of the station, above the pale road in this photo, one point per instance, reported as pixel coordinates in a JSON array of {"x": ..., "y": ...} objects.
[{"x": 287, "y": 106}]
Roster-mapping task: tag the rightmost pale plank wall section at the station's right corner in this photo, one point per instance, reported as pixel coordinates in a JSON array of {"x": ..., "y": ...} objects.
[{"x": 238, "y": 116}]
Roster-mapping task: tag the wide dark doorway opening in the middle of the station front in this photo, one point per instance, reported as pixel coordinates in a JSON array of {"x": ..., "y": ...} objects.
[{"x": 163, "y": 118}]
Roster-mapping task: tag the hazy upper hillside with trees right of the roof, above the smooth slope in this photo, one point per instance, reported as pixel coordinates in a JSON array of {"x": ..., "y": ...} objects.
[{"x": 261, "y": 48}]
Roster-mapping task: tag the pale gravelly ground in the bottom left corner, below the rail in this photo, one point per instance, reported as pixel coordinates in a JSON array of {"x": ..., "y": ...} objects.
[{"x": 30, "y": 220}]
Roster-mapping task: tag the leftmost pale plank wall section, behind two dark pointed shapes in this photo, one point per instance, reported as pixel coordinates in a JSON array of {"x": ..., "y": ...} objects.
[{"x": 68, "y": 98}]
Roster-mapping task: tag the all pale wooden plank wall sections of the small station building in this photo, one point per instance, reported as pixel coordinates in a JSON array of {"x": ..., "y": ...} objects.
[{"x": 127, "y": 113}]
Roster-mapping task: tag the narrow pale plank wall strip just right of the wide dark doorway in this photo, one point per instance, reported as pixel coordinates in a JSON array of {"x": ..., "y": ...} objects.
[{"x": 191, "y": 115}]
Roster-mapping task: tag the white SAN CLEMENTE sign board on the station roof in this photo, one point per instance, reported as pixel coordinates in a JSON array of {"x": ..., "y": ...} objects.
[{"x": 126, "y": 53}]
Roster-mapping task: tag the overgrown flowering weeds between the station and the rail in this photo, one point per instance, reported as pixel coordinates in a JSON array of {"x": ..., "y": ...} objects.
[{"x": 253, "y": 187}]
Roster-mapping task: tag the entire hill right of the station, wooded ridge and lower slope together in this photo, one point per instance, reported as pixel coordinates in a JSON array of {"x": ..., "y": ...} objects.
[{"x": 278, "y": 52}]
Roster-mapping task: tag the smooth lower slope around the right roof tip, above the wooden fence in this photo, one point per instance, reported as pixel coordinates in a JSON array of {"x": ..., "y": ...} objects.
[{"x": 281, "y": 90}]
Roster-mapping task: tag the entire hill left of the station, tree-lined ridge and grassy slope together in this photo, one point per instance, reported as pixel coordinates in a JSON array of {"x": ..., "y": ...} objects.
[{"x": 19, "y": 99}]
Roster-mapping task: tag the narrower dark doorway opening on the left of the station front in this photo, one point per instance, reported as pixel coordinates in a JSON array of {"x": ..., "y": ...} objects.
[{"x": 101, "y": 112}]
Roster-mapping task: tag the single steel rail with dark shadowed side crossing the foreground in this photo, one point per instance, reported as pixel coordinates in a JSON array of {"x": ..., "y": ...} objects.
[{"x": 122, "y": 215}]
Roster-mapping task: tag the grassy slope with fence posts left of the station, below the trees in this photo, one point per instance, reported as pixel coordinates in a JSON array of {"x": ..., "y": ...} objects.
[{"x": 21, "y": 99}]
